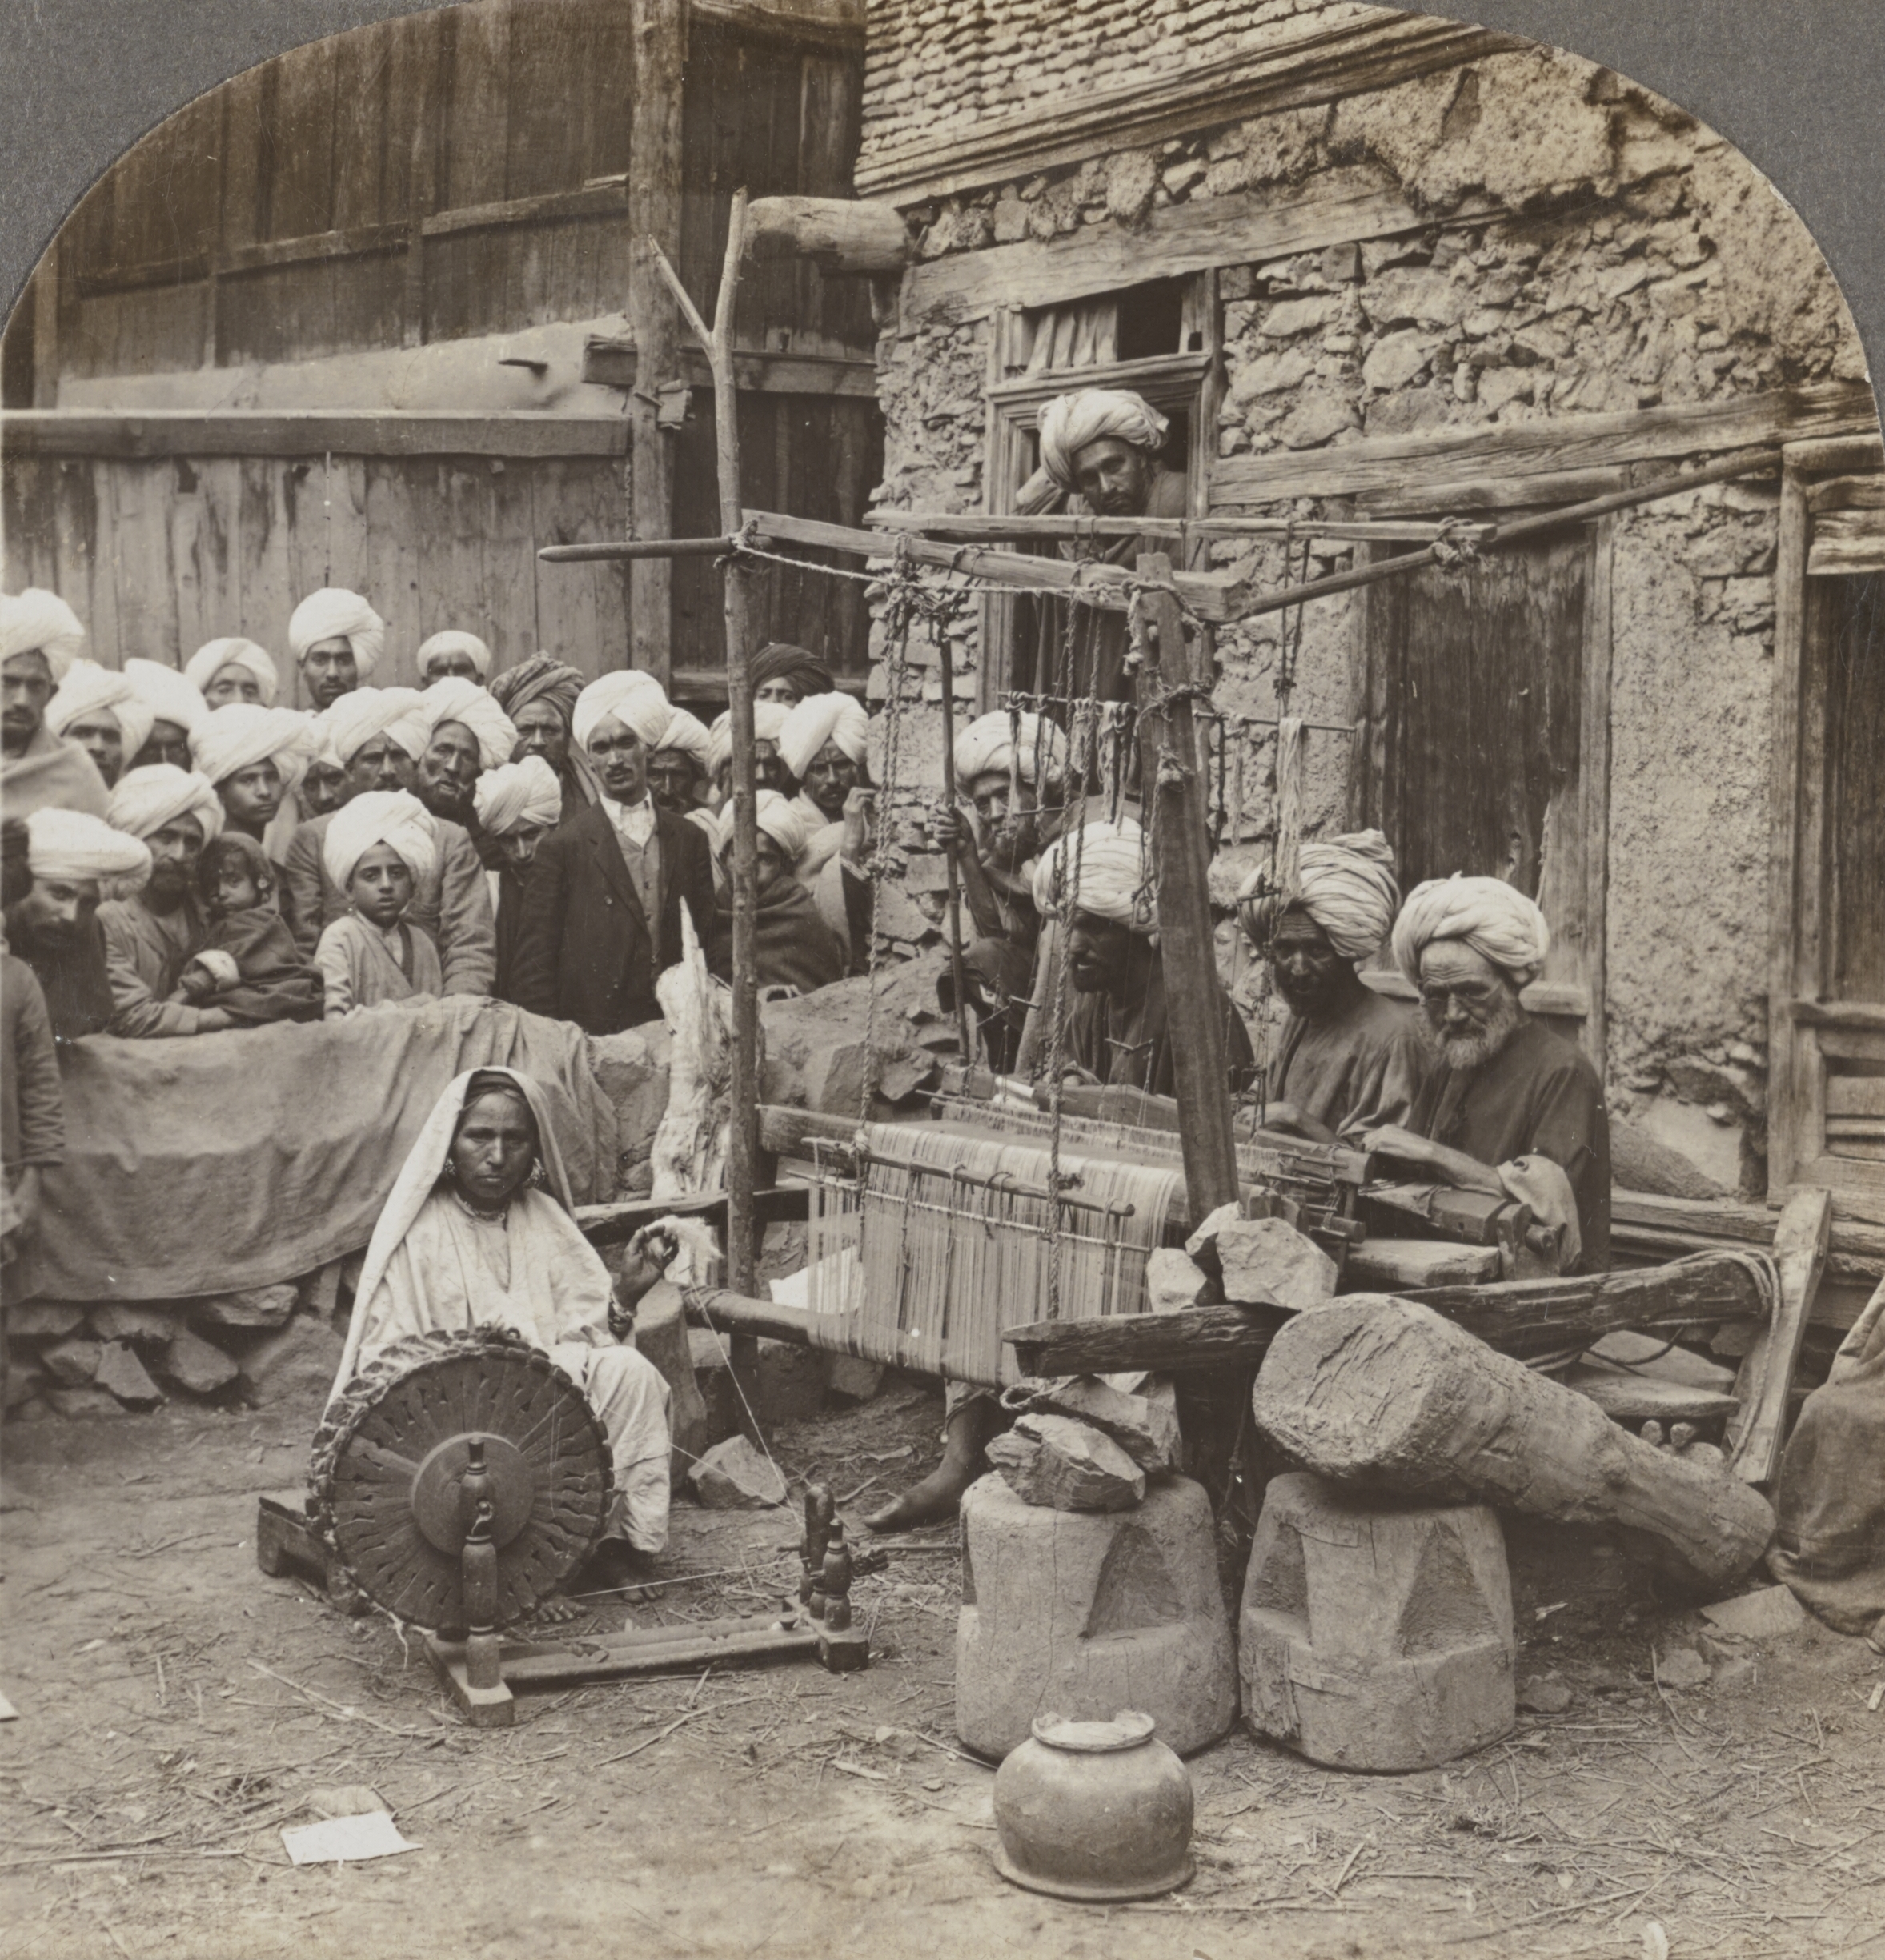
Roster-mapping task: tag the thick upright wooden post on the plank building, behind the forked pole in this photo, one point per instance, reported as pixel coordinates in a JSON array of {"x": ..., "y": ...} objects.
[{"x": 661, "y": 54}]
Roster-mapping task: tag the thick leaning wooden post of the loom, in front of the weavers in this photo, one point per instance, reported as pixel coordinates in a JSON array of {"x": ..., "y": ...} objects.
[{"x": 1175, "y": 801}]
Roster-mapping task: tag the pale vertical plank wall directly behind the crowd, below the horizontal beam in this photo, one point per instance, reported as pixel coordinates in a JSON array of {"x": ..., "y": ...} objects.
[{"x": 160, "y": 556}]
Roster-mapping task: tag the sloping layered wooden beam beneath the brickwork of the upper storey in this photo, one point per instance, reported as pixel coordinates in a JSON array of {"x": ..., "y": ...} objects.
[{"x": 1288, "y": 72}]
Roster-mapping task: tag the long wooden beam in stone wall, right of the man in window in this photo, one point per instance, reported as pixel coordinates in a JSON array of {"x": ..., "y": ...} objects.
[{"x": 1545, "y": 446}]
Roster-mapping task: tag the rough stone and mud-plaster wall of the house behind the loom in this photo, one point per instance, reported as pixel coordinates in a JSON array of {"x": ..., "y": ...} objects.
[{"x": 1592, "y": 250}]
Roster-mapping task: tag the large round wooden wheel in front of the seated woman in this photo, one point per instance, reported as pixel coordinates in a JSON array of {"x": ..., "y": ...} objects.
[{"x": 461, "y": 1479}]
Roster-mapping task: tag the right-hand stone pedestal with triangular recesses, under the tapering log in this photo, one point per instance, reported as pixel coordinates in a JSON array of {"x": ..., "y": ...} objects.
[{"x": 1375, "y": 1636}]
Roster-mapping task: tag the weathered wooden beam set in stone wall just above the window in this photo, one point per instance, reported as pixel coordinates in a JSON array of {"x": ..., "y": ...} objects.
[{"x": 1183, "y": 238}]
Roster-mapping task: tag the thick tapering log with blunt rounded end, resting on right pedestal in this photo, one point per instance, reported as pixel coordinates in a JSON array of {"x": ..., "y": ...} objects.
[{"x": 1384, "y": 1395}]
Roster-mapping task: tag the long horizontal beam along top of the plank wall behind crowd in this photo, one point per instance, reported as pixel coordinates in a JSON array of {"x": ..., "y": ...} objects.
[{"x": 73, "y": 432}]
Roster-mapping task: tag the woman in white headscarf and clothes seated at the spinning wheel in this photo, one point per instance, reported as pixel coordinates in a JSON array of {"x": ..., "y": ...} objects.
[{"x": 479, "y": 1234}]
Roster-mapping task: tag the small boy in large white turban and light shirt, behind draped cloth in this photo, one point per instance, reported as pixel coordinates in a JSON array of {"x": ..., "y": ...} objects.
[{"x": 377, "y": 850}]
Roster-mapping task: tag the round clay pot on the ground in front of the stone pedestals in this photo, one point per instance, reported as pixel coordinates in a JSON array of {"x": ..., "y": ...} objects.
[{"x": 1094, "y": 1810}]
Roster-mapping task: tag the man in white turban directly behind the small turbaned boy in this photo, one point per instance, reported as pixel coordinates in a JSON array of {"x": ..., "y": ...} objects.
[{"x": 377, "y": 736}]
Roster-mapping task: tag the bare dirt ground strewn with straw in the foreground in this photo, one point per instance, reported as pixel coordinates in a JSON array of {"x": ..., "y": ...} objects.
[{"x": 175, "y": 1710}]
